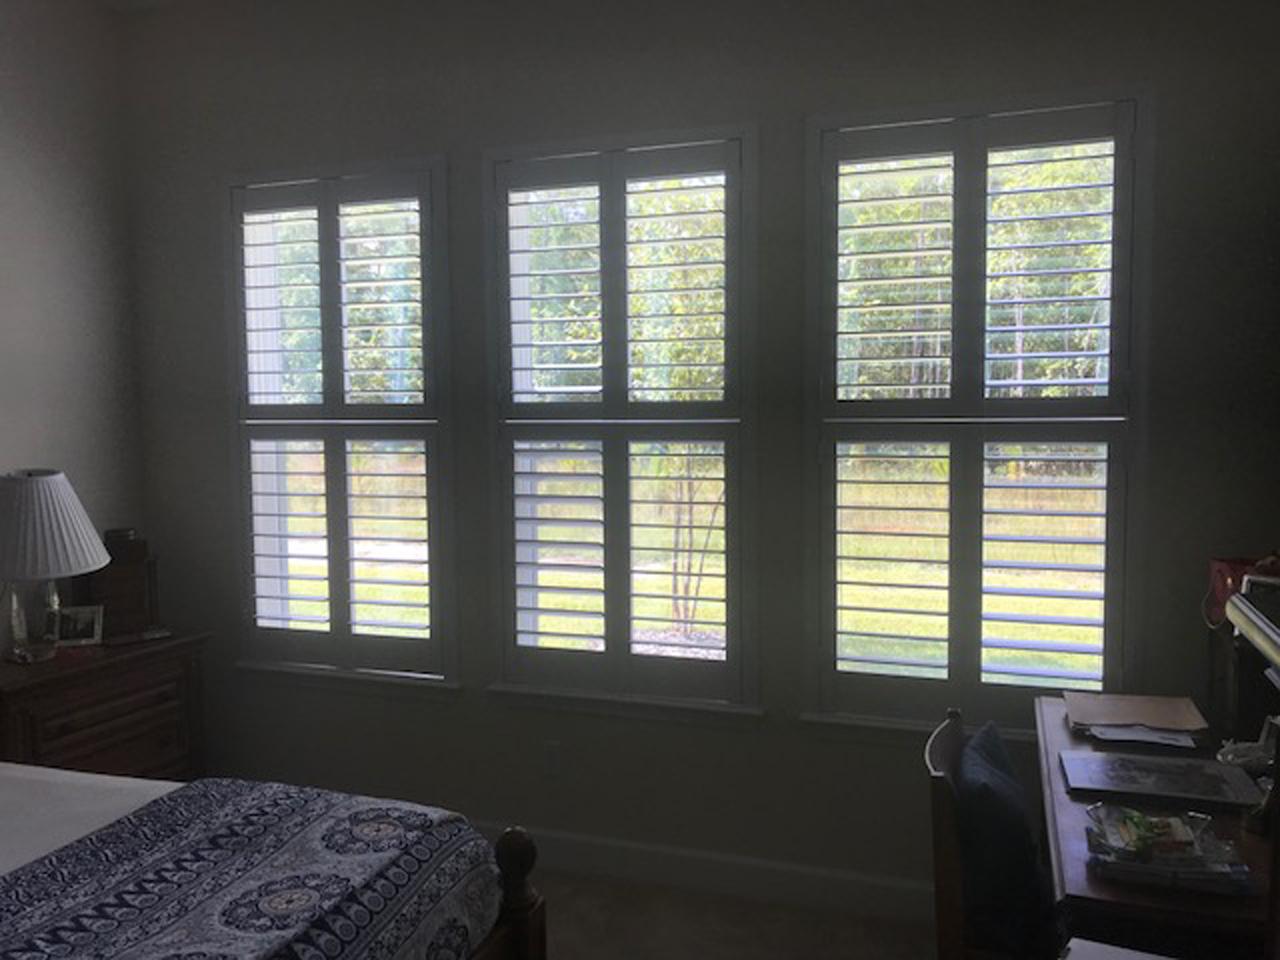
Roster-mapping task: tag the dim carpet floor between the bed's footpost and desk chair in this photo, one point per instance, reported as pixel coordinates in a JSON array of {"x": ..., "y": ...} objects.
[{"x": 593, "y": 918}]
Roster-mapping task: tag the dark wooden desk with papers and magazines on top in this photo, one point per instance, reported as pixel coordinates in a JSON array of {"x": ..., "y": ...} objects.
[{"x": 1176, "y": 924}]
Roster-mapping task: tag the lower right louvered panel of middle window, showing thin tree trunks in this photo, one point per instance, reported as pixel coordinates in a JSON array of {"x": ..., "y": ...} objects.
[{"x": 678, "y": 550}]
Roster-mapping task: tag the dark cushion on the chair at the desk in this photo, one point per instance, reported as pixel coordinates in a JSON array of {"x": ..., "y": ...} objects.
[{"x": 1008, "y": 903}]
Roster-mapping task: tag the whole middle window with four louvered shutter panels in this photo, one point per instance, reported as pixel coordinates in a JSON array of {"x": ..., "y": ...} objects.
[{"x": 621, "y": 330}]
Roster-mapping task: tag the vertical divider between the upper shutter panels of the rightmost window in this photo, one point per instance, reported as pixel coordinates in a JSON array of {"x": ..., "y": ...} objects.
[{"x": 970, "y": 246}]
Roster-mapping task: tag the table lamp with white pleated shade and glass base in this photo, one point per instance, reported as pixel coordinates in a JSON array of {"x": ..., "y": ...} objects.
[{"x": 45, "y": 536}]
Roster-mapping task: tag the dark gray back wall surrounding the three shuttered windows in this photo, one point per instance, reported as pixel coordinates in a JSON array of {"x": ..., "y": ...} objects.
[{"x": 226, "y": 89}]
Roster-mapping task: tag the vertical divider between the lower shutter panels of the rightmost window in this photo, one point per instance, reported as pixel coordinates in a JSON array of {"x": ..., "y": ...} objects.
[{"x": 966, "y": 596}]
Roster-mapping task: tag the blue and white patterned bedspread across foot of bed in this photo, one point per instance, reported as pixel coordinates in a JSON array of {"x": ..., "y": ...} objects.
[{"x": 227, "y": 868}]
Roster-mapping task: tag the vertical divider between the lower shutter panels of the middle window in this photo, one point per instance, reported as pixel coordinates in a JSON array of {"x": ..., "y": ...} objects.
[{"x": 618, "y": 560}]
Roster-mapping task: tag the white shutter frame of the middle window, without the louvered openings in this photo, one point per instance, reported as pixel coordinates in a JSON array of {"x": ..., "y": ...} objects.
[{"x": 611, "y": 162}]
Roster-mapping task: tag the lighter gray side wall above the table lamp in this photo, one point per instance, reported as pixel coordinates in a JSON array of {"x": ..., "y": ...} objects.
[{"x": 67, "y": 382}]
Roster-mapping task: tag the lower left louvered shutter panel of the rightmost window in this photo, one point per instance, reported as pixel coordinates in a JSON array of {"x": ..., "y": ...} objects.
[{"x": 893, "y": 573}]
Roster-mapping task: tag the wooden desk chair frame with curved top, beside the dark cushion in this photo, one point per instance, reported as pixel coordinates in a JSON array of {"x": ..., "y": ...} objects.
[{"x": 943, "y": 756}]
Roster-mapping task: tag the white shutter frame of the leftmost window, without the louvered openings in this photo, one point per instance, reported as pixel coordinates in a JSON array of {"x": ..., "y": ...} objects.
[{"x": 335, "y": 422}]
